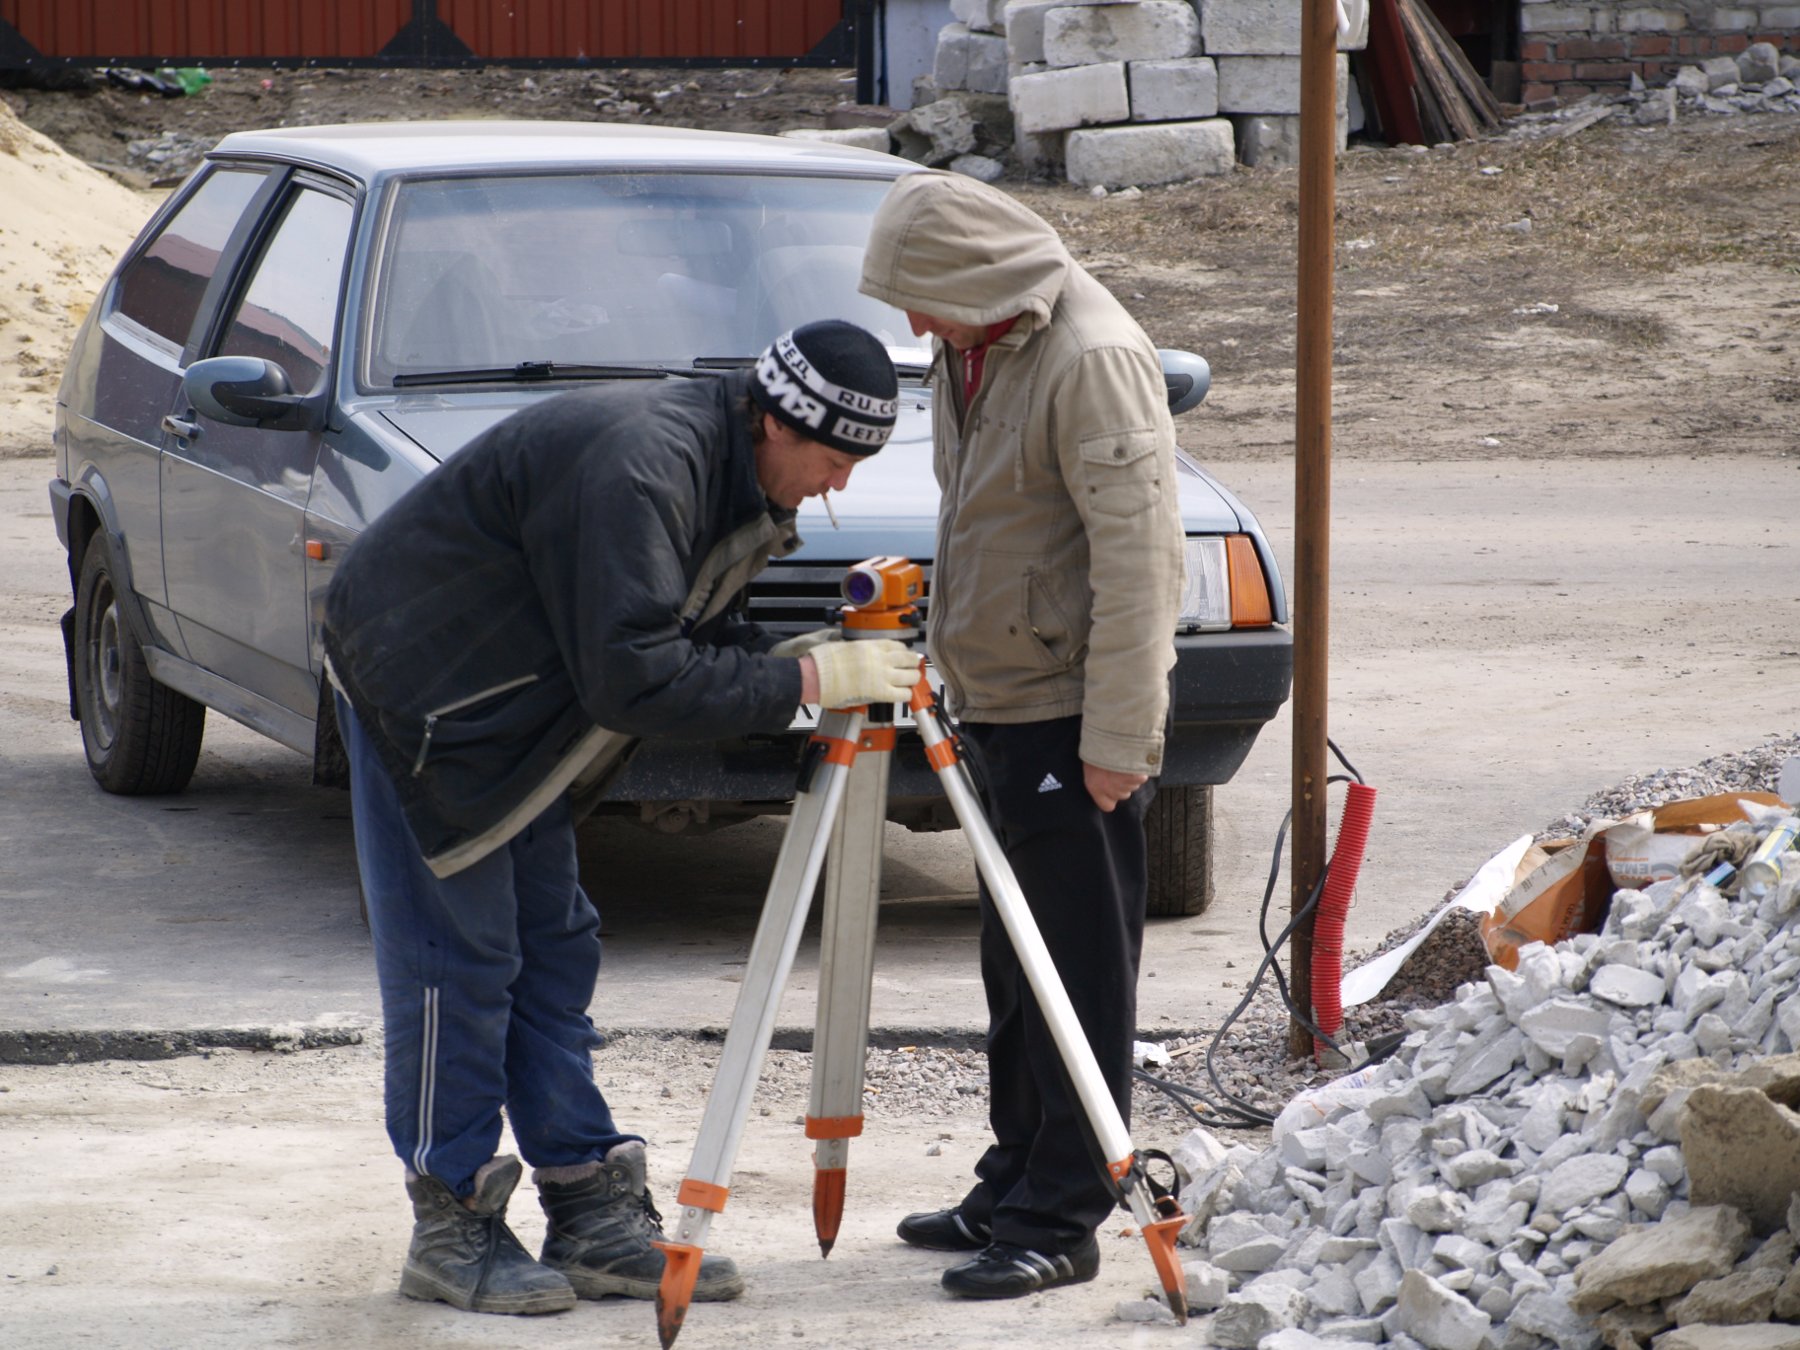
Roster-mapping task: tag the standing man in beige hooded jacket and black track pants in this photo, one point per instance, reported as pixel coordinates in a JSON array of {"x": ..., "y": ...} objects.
[{"x": 1056, "y": 591}]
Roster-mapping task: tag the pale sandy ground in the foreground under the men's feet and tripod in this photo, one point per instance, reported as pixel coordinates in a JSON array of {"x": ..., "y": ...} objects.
[{"x": 249, "y": 1200}]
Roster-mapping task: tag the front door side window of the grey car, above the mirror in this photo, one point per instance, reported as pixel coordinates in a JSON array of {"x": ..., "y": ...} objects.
[{"x": 289, "y": 310}]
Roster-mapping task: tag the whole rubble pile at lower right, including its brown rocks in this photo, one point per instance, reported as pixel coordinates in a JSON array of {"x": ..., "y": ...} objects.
[{"x": 1518, "y": 1173}]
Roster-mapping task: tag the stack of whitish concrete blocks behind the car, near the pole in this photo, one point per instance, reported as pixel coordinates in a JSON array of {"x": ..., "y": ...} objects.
[{"x": 1137, "y": 93}]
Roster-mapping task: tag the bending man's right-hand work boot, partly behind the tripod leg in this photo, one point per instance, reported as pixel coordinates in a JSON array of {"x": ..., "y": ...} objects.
[{"x": 602, "y": 1225}]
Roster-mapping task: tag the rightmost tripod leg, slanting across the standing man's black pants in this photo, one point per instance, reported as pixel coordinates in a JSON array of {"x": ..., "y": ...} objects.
[{"x": 1158, "y": 1218}]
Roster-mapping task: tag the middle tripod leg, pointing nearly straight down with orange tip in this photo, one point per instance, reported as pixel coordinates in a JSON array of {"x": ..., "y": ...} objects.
[{"x": 847, "y": 966}]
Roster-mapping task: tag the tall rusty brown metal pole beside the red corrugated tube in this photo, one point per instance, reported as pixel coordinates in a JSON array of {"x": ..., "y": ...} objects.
[{"x": 1313, "y": 480}]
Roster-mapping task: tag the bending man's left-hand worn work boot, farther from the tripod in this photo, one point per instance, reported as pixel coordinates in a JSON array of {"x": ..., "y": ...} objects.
[{"x": 467, "y": 1257}]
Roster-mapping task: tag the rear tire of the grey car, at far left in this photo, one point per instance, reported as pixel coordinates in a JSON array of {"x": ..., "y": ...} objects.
[{"x": 141, "y": 737}]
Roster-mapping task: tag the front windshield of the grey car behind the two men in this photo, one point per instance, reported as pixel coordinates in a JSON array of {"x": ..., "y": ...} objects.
[{"x": 503, "y": 274}]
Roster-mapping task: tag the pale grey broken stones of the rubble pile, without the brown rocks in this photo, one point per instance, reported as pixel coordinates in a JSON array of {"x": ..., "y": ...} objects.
[{"x": 1453, "y": 1194}]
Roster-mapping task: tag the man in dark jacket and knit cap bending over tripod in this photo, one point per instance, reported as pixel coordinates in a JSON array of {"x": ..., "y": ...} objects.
[{"x": 498, "y": 640}]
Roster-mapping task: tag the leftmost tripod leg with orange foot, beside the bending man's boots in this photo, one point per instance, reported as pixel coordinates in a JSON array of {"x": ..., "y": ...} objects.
[{"x": 753, "y": 1020}]
